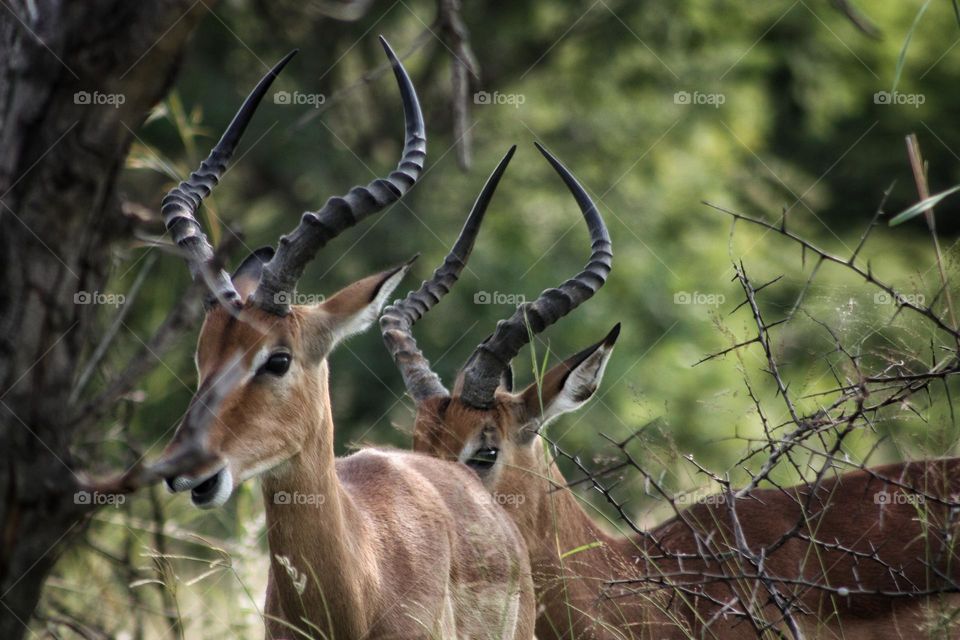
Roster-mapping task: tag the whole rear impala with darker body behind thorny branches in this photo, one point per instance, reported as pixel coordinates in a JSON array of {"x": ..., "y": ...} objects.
[{"x": 860, "y": 567}]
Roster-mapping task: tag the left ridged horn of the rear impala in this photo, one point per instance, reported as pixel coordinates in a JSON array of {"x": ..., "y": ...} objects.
[{"x": 398, "y": 319}]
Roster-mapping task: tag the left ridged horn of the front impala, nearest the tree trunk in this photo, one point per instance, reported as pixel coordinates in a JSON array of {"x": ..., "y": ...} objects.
[{"x": 181, "y": 203}]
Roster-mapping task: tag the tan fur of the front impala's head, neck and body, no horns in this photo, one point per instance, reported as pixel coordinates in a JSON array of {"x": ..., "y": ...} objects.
[{"x": 392, "y": 544}]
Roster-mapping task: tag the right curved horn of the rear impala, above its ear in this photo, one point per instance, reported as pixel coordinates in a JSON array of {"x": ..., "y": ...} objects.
[{"x": 481, "y": 374}]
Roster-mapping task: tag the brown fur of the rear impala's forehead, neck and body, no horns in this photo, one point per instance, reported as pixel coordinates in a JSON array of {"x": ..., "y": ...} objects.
[{"x": 580, "y": 596}]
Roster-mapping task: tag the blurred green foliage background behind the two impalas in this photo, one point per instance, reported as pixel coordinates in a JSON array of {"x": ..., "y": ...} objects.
[{"x": 656, "y": 106}]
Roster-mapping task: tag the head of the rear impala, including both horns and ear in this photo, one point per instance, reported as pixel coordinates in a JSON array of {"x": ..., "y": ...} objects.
[{"x": 483, "y": 424}]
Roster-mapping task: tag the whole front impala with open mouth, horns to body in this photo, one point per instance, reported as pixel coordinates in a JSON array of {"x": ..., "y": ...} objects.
[{"x": 380, "y": 544}]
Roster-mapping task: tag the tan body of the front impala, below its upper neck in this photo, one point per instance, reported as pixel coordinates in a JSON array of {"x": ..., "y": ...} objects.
[{"x": 401, "y": 547}]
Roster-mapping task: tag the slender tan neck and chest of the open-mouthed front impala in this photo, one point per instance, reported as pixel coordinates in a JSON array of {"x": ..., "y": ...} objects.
[{"x": 314, "y": 524}]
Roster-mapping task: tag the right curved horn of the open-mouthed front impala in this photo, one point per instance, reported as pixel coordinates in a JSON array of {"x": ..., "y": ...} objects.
[{"x": 279, "y": 280}]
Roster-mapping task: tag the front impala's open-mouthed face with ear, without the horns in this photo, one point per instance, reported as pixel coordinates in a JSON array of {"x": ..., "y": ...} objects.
[{"x": 274, "y": 410}]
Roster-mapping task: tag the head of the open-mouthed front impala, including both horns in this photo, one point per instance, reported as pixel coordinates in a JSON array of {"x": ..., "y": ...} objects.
[{"x": 261, "y": 360}]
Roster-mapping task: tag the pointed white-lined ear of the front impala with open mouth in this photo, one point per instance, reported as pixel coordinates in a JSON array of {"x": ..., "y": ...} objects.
[{"x": 356, "y": 307}]
